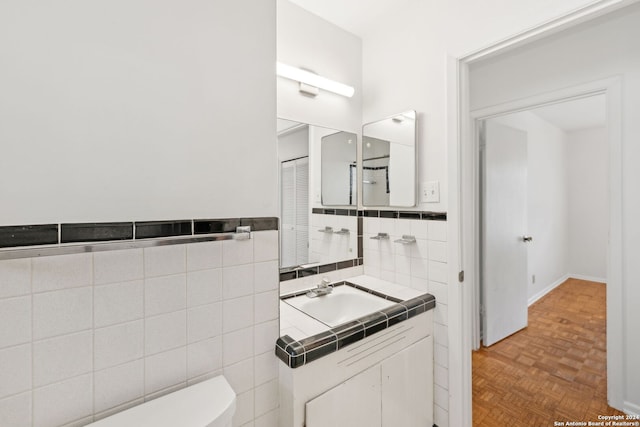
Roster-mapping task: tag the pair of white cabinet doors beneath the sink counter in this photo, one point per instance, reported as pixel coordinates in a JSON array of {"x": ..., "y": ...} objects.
[{"x": 398, "y": 391}]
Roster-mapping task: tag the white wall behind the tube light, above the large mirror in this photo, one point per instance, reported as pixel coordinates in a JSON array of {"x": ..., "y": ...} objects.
[{"x": 307, "y": 41}]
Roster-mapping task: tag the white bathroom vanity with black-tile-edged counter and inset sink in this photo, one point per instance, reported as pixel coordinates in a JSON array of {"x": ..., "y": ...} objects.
[{"x": 372, "y": 369}]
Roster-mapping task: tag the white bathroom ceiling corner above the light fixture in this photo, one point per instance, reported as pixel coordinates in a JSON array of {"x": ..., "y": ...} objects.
[{"x": 355, "y": 16}]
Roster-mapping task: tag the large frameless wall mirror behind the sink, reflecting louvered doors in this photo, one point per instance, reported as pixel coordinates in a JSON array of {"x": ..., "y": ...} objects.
[{"x": 317, "y": 165}]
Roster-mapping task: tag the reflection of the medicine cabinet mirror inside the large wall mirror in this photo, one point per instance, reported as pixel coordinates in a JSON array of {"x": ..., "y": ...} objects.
[{"x": 338, "y": 173}]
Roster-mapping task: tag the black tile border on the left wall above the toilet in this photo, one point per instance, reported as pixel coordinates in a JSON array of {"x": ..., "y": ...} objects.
[{"x": 20, "y": 238}]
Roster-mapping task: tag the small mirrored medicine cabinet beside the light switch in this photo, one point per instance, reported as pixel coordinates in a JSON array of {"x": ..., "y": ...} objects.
[{"x": 389, "y": 161}]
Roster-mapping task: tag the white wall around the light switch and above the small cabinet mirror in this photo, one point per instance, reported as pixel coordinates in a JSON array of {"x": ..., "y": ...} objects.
[{"x": 405, "y": 64}]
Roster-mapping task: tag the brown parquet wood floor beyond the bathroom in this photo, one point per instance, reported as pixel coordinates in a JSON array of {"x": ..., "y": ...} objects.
[{"x": 553, "y": 370}]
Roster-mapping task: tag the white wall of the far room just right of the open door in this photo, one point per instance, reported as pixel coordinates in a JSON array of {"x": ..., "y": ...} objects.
[{"x": 547, "y": 201}]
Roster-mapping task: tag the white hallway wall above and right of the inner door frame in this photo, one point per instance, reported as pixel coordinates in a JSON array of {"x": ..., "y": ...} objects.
[{"x": 603, "y": 49}]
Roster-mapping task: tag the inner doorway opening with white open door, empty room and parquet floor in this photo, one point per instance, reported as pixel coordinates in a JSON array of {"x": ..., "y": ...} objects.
[{"x": 553, "y": 160}]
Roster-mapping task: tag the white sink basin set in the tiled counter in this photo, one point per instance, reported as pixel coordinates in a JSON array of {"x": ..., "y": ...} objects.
[{"x": 342, "y": 305}]
